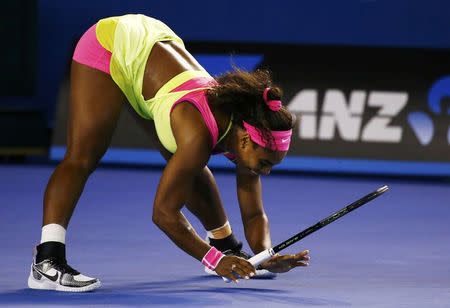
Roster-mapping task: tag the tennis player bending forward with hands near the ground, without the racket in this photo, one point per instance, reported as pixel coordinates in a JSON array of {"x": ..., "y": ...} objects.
[{"x": 190, "y": 116}]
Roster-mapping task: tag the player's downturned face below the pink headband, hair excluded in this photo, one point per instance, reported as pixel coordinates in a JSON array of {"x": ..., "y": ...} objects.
[{"x": 256, "y": 159}]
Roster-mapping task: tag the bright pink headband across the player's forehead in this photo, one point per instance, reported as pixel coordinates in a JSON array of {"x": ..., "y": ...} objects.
[{"x": 281, "y": 139}]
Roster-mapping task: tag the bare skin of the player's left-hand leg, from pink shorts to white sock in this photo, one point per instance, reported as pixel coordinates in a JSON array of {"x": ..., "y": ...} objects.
[{"x": 95, "y": 104}]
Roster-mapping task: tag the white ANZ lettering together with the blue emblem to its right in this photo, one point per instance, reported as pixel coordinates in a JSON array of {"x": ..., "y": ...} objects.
[{"x": 343, "y": 115}]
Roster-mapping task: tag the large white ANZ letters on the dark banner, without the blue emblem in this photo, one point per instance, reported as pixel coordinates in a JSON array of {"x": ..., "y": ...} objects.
[{"x": 346, "y": 116}]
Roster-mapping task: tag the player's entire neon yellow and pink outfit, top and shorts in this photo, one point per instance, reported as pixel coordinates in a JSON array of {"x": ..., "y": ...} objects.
[{"x": 120, "y": 46}]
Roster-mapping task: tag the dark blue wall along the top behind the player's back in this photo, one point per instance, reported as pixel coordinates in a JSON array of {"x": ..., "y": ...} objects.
[{"x": 375, "y": 23}]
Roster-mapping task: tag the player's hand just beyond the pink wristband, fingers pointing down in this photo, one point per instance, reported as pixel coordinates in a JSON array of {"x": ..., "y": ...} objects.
[{"x": 230, "y": 266}]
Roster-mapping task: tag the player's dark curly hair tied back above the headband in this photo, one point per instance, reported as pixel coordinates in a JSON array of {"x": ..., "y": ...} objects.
[{"x": 240, "y": 93}]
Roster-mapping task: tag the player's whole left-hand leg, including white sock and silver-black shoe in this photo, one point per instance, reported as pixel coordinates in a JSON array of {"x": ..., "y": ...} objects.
[{"x": 95, "y": 104}]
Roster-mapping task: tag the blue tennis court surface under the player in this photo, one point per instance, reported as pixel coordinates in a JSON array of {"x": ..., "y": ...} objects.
[{"x": 392, "y": 252}]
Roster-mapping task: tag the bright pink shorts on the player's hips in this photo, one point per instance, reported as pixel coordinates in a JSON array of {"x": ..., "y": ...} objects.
[{"x": 89, "y": 52}]
